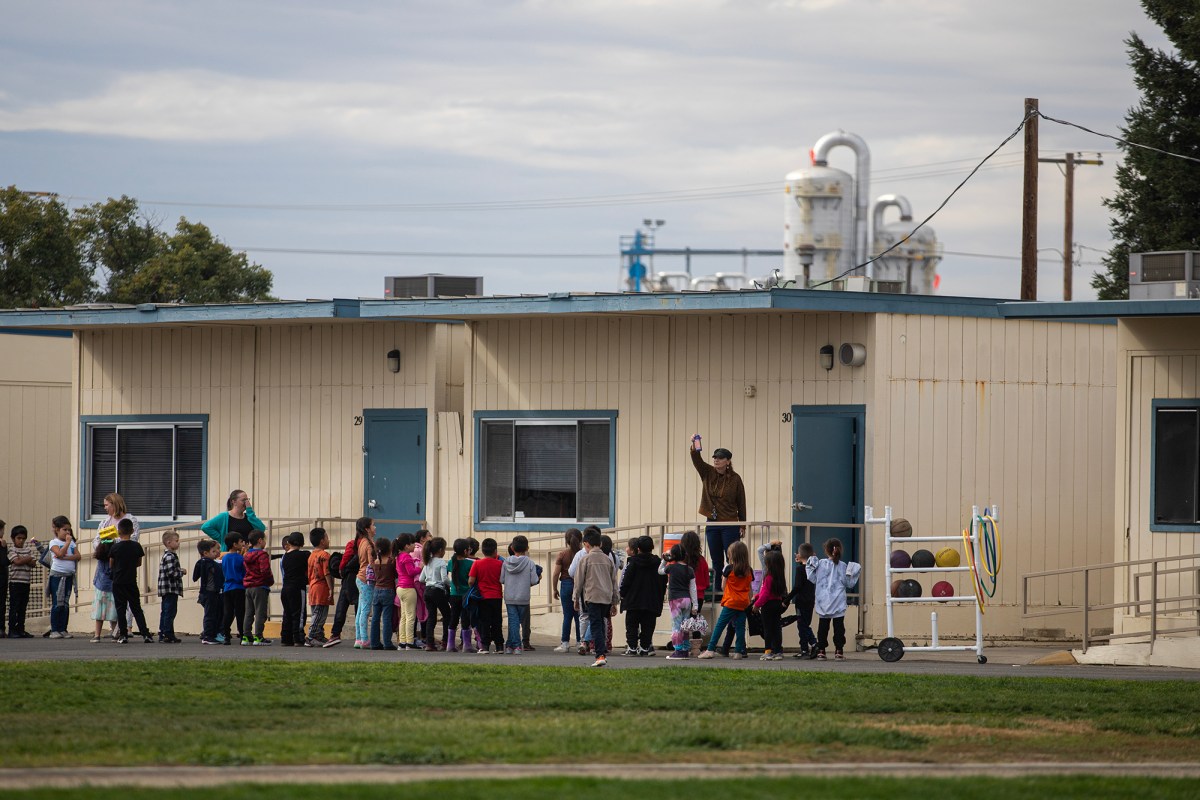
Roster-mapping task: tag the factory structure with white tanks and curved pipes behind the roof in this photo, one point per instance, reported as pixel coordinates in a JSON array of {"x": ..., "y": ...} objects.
[{"x": 835, "y": 238}]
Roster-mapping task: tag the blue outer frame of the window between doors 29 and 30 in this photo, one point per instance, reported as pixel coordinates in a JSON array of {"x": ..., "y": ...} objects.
[{"x": 542, "y": 418}]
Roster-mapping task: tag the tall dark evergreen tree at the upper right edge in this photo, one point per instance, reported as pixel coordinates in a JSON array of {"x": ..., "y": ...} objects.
[{"x": 1157, "y": 196}]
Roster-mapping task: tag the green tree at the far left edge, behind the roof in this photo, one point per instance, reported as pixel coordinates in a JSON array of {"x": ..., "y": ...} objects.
[{"x": 40, "y": 263}]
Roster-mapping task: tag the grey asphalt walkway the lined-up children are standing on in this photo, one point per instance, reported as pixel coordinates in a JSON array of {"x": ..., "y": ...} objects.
[{"x": 1003, "y": 661}]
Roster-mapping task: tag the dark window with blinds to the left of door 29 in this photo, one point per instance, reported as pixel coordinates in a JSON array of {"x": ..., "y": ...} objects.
[{"x": 158, "y": 470}]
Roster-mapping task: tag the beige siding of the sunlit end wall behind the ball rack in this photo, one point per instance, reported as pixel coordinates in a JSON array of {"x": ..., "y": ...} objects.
[{"x": 975, "y": 412}]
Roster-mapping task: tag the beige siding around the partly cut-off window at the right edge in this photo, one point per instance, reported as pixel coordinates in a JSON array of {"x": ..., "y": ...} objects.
[{"x": 1160, "y": 360}]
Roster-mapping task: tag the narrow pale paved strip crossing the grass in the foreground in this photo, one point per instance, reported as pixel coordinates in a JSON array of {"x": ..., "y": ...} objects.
[{"x": 167, "y": 778}]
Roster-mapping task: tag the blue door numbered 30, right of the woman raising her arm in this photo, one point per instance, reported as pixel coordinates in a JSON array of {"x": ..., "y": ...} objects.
[{"x": 827, "y": 470}]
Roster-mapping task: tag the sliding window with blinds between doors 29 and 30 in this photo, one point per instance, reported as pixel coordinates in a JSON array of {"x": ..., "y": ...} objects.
[{"x": 545, "y": 471}]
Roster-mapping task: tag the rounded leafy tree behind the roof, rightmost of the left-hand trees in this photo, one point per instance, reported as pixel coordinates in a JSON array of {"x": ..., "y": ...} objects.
[{"x": 194, "y": 267}]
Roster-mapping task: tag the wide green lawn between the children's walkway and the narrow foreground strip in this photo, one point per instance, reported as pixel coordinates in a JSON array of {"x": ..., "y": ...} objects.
[{"x": 215, "y": 713}]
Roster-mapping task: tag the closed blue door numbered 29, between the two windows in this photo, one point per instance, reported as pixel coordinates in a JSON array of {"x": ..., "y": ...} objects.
[{"x": 394, "y": 454}]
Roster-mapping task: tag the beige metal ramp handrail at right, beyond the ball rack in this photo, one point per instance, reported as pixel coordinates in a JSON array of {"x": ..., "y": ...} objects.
[{"x": 1156, "y": 604}]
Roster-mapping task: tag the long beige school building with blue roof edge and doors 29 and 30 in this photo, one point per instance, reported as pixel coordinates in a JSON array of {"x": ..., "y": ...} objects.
[{"x": 491, "y": 417}]
